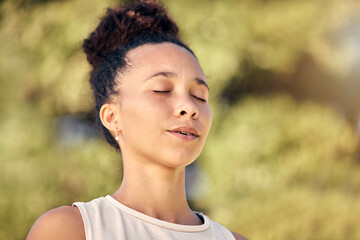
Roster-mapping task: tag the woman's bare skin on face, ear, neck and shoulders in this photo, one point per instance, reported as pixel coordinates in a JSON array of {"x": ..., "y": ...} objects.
[{"x": 164, "y": 88}]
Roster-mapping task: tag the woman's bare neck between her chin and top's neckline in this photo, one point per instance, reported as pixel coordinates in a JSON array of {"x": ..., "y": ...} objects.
[{"x": 156, "y": 191}]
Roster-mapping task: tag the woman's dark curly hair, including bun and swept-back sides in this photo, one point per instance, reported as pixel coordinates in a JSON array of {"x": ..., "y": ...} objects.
[{"x": 120, "y": 30}]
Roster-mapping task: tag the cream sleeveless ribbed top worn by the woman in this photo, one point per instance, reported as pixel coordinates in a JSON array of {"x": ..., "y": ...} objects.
[{"x": 107, "y": 219}]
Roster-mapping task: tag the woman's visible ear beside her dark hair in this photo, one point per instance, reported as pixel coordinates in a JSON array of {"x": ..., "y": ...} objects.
[{"x": 110, "y": 117}]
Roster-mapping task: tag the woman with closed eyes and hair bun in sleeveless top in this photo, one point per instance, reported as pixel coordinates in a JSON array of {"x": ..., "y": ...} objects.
[{"x": 151, "y": 99}]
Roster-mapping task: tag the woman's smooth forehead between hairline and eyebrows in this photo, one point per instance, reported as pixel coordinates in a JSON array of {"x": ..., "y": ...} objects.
[{"x": 163, "y": 56}]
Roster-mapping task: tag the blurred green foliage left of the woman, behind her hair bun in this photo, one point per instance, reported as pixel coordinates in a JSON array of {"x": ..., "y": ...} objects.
[{"x": 43, "y": 74}]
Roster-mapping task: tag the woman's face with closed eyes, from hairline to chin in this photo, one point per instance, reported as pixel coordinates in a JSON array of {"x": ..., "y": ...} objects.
[{"x": 163, "y": 111}]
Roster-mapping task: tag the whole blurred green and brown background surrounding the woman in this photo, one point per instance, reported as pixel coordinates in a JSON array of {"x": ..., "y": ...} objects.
[{"x": 282, "y": 160}]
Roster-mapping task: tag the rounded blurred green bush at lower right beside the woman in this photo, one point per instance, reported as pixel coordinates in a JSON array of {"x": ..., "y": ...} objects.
[{"x": 285, "y": 171}]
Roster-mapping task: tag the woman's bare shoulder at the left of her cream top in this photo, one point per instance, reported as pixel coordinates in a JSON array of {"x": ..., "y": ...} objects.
[{"x": 59, "y": 223}]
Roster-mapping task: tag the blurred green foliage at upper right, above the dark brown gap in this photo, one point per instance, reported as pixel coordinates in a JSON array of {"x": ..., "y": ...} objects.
[{"x": 270, "y": 34}]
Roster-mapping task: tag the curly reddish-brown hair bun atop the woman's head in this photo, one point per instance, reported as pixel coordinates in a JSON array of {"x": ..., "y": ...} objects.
[{"x": 121, "y": 25}]
